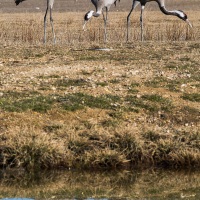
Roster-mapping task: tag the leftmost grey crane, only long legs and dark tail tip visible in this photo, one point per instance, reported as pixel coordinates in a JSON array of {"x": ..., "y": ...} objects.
[{"x": 49, "y": 6}]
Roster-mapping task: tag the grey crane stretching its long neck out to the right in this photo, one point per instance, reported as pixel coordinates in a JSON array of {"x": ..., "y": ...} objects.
[{"x": 161, "y": 4}]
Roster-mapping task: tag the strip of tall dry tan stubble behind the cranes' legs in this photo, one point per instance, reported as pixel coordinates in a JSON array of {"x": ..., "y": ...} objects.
[{"x": 16, "y": 29}]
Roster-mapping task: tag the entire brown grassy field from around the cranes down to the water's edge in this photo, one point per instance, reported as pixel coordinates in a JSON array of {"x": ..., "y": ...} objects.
[{"x": 75, "y": 106}]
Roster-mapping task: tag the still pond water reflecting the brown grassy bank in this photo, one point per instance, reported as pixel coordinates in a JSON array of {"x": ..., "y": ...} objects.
[{"x": 133, "y": 184}]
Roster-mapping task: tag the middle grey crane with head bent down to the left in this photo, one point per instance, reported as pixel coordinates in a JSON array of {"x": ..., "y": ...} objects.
[{"x": 100, "y": 5}]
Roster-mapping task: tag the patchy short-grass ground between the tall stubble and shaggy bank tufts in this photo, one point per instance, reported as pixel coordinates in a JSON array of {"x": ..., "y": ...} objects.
[{"x": 82, "y": 92}]
